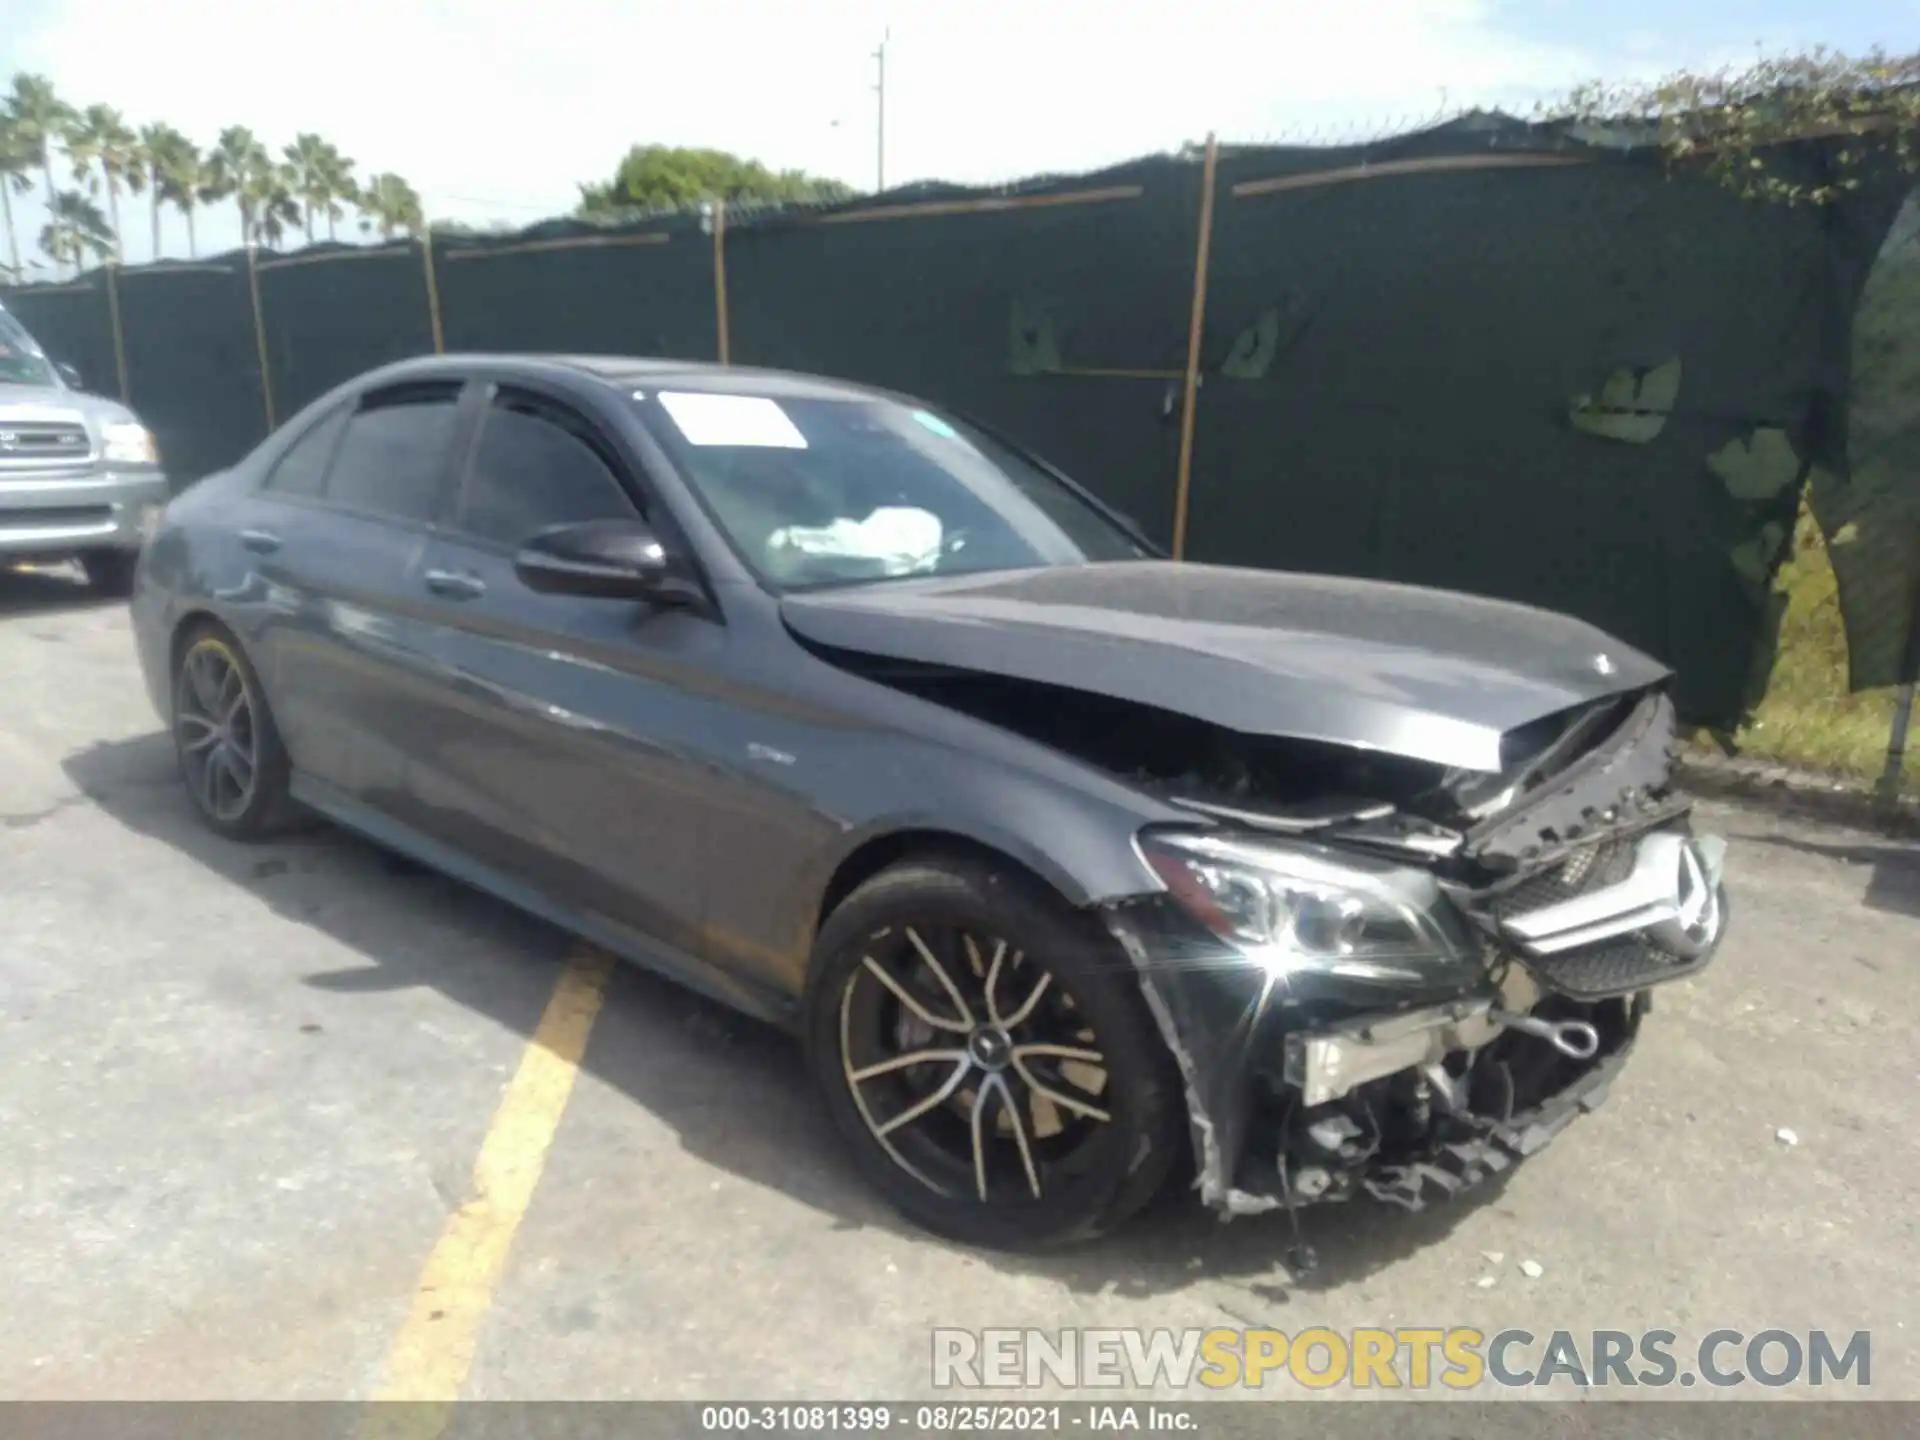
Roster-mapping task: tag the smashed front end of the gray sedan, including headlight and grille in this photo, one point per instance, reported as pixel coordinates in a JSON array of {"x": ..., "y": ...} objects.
[{"x": 1403, "y": 996}]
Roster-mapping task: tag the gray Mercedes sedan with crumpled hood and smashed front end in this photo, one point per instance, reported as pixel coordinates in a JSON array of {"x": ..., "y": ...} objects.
[{"x": 1078, "y": 869}]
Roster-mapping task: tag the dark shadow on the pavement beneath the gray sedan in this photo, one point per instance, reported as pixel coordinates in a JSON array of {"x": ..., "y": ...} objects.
[{"x": 731, "y": 1088}]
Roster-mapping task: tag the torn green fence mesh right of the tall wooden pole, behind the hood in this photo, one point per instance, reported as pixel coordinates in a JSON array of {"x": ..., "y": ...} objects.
[{"x": 1510, "y": 381}]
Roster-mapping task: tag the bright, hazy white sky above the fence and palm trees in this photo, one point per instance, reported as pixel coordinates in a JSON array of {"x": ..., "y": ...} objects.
[{"x": 496, "y": 110}]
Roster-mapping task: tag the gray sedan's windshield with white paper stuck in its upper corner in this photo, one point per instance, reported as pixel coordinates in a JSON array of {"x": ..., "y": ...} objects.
[{"x": 830, "y": 492}]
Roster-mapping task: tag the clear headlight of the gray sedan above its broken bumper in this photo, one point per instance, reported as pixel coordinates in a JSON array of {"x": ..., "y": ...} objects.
[{"x": 1291, "y": 907}]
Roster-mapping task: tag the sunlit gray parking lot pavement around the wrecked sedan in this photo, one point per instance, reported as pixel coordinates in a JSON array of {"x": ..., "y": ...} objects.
[{"x": 245, "y": 1093}]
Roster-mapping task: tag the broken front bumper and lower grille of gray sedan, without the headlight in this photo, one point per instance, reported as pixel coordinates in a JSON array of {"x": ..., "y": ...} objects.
[{"x": 1305, "y": 1092}]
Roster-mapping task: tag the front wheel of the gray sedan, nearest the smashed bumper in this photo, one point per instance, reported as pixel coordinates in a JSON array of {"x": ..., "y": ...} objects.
[{"x": 988, "y": 1057}]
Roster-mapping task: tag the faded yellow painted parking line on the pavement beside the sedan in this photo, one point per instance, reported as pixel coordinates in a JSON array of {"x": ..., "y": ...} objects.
[{"x": 435, "y": 1349}]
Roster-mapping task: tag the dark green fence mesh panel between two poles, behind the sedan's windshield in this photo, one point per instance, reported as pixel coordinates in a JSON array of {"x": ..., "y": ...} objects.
[{"x": 1061, "y": 322}]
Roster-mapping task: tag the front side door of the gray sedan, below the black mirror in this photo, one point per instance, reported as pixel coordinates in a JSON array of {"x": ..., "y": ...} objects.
[{"x": 565, "y": 746}]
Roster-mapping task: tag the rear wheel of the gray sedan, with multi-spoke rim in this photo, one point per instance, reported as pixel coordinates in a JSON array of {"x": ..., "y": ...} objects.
[{"x": 231, "y": 757}]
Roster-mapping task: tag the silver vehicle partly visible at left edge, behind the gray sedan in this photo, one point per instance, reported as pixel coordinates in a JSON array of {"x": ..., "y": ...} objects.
[{"x": 80, "y": 475}]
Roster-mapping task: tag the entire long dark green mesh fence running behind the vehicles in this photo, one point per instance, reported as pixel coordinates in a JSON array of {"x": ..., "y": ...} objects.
[{"x": 1487, "y": 356}]
